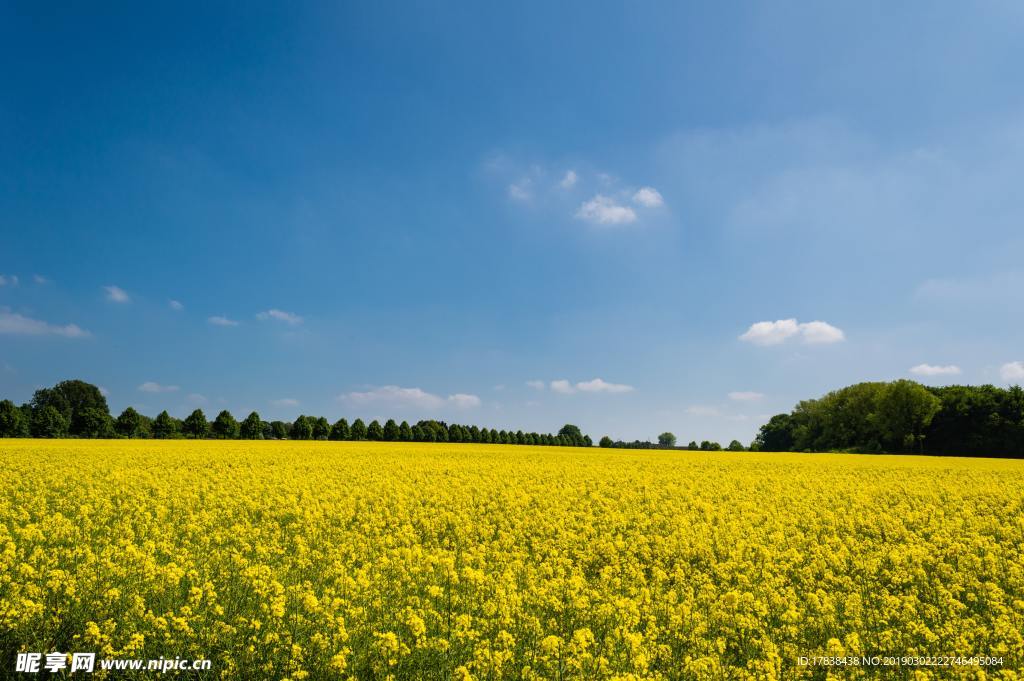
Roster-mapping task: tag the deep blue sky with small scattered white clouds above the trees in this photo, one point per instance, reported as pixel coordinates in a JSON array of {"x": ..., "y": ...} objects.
[{"x": 636, "y": 218}]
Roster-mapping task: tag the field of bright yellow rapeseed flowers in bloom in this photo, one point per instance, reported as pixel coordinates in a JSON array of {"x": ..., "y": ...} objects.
[{"x": 314, "y": 561}]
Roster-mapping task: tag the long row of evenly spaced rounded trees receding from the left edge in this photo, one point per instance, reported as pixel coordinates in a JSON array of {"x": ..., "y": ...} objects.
[{"x": 77, "y": 409}]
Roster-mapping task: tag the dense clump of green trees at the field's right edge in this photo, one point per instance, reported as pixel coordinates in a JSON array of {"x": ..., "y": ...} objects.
[{"x": 904, "y": 417}]
